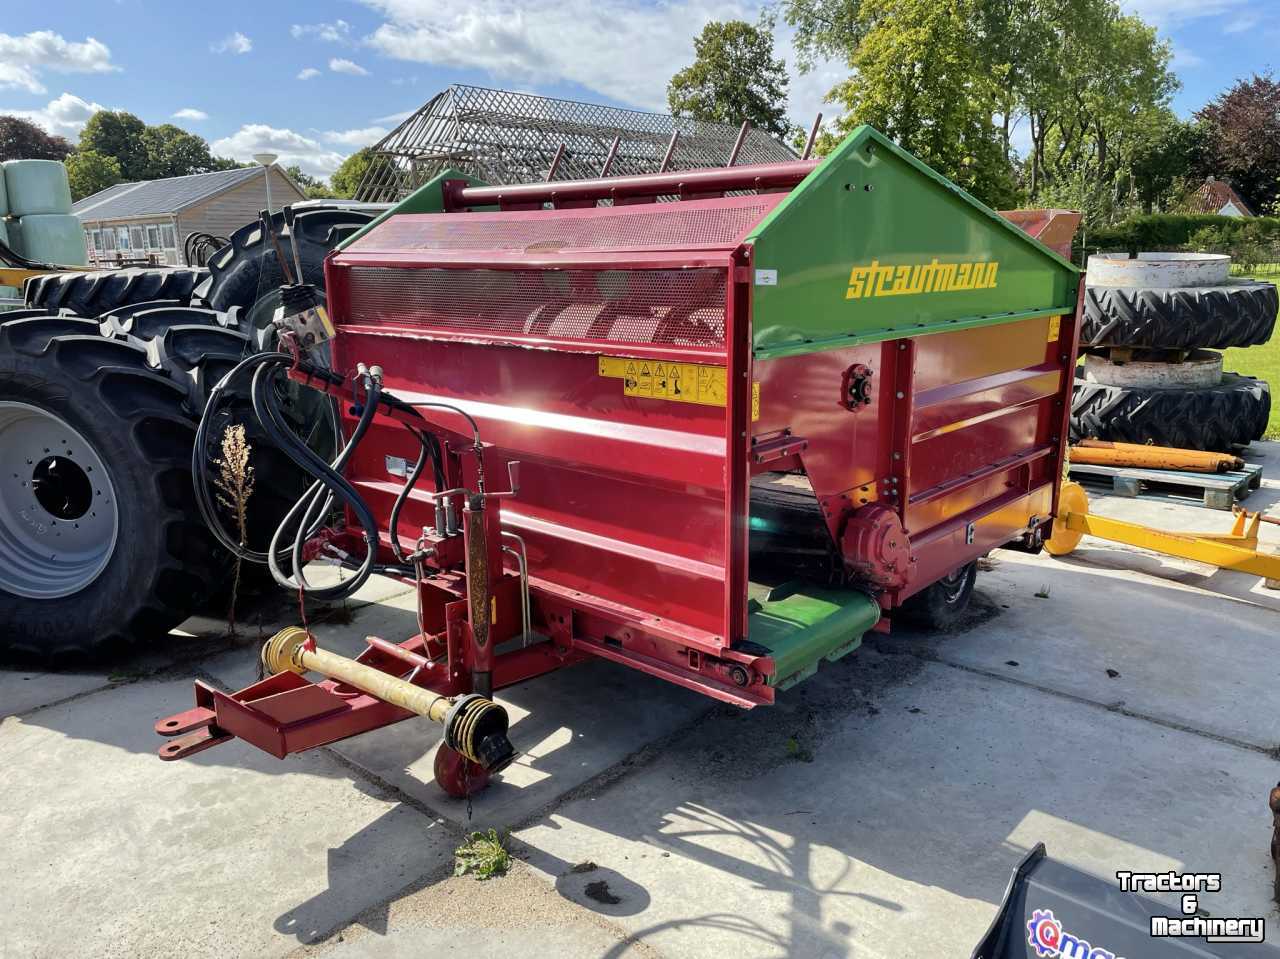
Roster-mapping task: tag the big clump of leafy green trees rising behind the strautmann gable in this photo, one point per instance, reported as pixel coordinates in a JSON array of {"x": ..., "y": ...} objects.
[{"x": 1091, "y": 85}]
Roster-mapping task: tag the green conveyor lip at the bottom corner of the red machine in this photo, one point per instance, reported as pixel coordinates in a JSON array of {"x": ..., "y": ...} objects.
[{"x": 803, "y": 627}]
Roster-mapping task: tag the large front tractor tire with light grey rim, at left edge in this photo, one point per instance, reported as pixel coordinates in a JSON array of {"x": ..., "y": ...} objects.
[{"x": 100, "y": 541}]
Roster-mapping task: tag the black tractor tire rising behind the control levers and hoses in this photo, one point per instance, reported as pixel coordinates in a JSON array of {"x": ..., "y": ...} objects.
[{"x": 243, "y": 273}]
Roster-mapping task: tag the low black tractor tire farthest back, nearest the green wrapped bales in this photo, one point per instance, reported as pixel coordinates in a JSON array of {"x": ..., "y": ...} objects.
[{"x": 98, "y": 293}]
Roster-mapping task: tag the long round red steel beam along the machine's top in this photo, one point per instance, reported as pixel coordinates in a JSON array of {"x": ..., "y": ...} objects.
[{"x": 719, "y": 180}]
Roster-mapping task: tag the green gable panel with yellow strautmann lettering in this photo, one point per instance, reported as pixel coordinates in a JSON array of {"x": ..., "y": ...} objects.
[{"x": 875, "y": 245}]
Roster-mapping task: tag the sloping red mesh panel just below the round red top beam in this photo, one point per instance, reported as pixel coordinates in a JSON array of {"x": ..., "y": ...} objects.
[{"x": 673, "y": 227}]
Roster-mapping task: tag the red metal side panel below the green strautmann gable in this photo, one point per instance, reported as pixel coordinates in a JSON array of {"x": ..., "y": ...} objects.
[{"x": 963, "y": 436}]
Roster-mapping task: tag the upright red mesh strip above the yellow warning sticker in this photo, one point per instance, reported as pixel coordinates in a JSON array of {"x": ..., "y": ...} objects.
[{"x": 679, "y": 308}]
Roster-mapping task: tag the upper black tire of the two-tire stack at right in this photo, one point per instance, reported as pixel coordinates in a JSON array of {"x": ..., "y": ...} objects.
[{"x": 1187, "y": 318}]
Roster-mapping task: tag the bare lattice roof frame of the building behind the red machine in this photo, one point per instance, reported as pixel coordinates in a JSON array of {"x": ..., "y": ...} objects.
[{"x": 501, "y": 136}]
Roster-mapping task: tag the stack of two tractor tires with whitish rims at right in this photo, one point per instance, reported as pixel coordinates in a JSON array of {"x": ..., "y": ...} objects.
[{"x": 1151, "y": 331}]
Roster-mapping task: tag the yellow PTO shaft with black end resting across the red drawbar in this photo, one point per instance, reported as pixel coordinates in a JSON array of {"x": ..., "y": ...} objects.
[{"x": 474, "y": 727}]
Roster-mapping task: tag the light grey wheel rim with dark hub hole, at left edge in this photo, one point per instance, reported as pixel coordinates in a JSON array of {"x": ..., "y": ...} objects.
[{"x": 58, "y": 512}]
